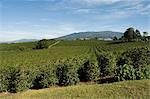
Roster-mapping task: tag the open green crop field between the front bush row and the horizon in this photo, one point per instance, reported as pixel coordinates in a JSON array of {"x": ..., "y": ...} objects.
[{"x": 11, "y": 55}]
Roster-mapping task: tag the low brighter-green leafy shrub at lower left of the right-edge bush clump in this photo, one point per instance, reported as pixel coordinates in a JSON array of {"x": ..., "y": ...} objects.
[{"x": 126, "y": 72}]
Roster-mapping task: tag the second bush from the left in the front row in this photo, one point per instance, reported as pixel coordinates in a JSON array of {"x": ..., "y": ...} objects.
[{"x": 45, "y": 77}]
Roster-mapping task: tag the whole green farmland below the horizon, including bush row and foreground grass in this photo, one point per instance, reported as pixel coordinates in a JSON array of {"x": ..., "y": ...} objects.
[{"x": 63, "y": 63}]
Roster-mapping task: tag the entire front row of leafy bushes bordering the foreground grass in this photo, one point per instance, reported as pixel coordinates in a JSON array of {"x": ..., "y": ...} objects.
[{"x": 131, "y": 65}]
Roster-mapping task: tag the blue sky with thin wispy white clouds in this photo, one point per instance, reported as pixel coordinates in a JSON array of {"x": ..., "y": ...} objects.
[{"x": 39, "y": 19}]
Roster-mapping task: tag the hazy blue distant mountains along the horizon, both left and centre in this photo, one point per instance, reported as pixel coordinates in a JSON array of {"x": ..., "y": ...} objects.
[{"x": 79, "y": 35}]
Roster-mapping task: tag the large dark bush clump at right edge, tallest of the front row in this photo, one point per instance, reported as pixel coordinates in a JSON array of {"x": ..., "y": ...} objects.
[{"x": 136, "y": 60}]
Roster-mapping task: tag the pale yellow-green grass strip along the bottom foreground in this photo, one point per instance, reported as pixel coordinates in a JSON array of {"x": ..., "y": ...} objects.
[{"x": 138, "y": 89}]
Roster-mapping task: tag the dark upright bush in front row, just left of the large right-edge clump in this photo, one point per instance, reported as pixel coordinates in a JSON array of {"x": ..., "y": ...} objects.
[{"x": 107, "y": 64}]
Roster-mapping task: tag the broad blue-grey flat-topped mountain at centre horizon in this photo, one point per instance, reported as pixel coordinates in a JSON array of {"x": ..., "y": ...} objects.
[{"x": 91, "y": 35}]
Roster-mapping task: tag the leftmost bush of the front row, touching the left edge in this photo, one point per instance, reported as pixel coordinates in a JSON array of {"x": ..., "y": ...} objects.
[{"x": 13, "y": 79}]
